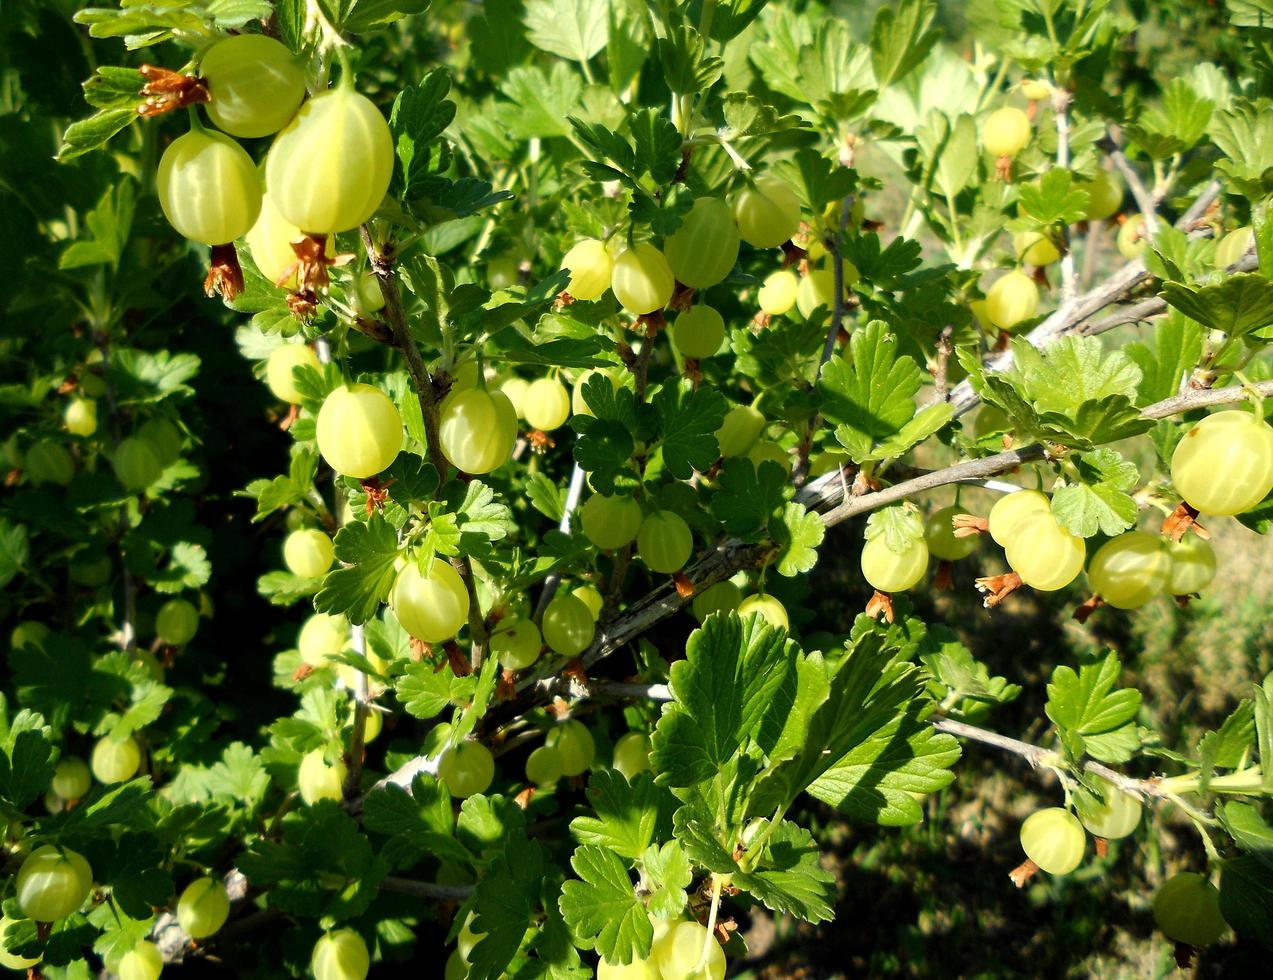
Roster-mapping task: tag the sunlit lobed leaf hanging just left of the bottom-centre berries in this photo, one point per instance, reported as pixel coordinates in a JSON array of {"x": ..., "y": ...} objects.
[{"x": 603, "y": 907}]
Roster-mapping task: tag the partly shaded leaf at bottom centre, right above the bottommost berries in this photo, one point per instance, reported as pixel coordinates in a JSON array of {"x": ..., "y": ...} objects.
[{"x": 790, "y": 878}]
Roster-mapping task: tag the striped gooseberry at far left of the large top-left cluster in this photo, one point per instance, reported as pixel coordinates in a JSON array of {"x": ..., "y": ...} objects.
[{"x": 208, "y": 186}]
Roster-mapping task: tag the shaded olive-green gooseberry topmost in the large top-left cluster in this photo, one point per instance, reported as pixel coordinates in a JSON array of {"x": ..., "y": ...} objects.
[{"x": 255, "y": 82}]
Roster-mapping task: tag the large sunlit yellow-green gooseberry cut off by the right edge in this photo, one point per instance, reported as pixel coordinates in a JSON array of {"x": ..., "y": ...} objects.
[{"x": 1224, "y": 465}]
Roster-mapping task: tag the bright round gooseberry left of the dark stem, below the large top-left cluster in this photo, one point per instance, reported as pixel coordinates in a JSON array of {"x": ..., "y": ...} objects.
[{"x": 360, "y": 431}]
